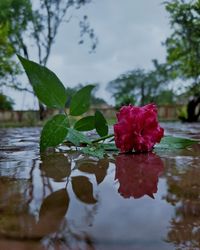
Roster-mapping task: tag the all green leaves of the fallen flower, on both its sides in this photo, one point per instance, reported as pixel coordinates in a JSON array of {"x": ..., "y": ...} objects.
[{"x": 58, "y": 129}]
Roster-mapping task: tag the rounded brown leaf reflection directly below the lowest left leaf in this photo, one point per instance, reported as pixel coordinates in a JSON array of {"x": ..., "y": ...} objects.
[{"x": 55, "y": 166}]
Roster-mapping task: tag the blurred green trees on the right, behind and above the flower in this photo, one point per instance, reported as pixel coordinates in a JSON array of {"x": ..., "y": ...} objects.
[{"x": 182, "y": 62}]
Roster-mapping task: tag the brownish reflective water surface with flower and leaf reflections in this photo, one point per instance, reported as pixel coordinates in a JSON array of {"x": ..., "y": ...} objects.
[{"x": 64, "y": 200}]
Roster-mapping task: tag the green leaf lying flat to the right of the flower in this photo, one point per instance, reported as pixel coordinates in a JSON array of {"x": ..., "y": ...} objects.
[{"x": 171, "y": 142}]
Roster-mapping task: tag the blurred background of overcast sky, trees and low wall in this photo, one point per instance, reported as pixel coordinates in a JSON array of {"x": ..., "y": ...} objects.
[{"x": 135, "y": 52}]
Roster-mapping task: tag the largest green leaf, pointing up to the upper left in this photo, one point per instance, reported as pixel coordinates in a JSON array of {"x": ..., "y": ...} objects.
[{"x": 46, "y": 85}]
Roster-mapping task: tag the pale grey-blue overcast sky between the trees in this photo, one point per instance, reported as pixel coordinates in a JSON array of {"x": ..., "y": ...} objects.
[{"x": 130, "y": 33}]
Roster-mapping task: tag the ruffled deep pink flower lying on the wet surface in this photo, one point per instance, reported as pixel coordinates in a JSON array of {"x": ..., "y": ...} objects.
[{"x": 137, "y": 128}]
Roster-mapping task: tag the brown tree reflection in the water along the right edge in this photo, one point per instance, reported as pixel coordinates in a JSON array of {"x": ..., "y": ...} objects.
[{"x": 184, "y": 194}]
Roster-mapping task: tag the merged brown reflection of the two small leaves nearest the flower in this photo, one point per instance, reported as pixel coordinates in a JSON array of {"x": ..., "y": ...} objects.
[{"x": 98, "y": 168}]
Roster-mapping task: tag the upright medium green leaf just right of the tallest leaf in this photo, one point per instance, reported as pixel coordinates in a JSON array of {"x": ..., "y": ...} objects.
[{"x": 80, "y": 102}]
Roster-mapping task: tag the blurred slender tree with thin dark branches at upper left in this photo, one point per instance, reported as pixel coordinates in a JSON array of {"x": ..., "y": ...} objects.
[{"x": 37, "y": 23}]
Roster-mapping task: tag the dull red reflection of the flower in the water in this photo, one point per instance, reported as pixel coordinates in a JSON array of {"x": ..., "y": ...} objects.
[{"x": 138, "y": 174}]
